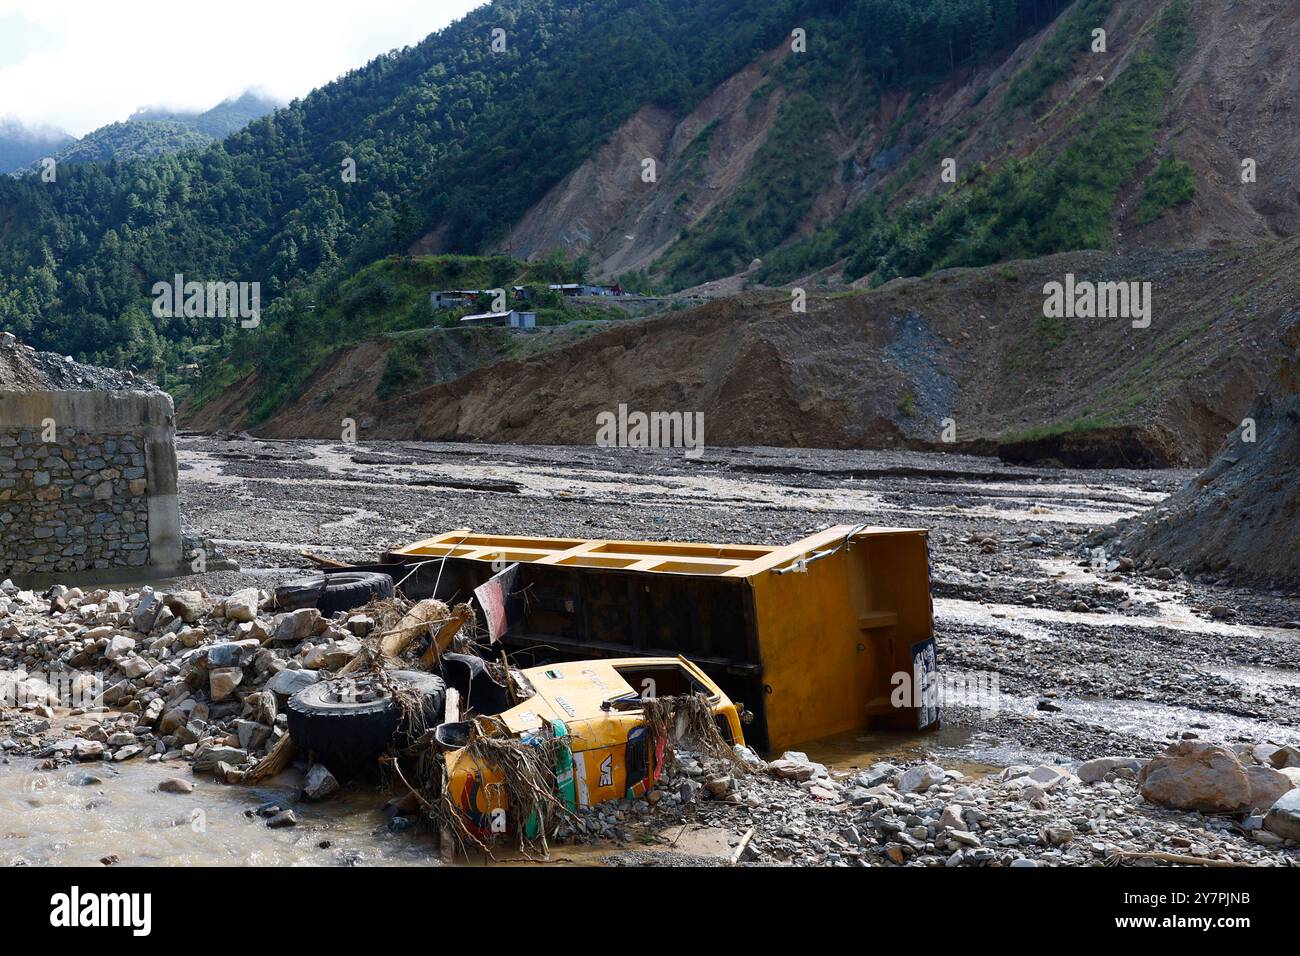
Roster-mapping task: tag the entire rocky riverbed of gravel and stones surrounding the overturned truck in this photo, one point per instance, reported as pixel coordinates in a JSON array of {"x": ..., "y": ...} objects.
[{"x": 1078, "y": 654}]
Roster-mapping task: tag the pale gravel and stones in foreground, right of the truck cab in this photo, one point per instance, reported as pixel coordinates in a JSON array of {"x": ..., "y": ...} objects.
[{"x": 922, "y": 815}]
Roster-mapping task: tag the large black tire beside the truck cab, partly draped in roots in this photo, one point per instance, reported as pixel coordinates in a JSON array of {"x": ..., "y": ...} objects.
[{"x": 357, "y": 729}]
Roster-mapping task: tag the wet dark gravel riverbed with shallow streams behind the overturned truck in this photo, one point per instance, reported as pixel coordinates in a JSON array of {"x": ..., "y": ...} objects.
[{"x": 1017, "y": 595}]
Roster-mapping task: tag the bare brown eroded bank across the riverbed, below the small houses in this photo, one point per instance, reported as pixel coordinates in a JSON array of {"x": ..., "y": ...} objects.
[{"x": 886, "y": 369}]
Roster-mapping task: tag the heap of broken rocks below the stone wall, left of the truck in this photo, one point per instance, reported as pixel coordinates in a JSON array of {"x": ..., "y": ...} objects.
[{"x": 181, "y": 674}]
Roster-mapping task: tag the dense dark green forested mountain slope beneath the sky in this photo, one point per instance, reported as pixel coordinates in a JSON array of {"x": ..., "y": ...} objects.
[{"x": 453, "y": 141}]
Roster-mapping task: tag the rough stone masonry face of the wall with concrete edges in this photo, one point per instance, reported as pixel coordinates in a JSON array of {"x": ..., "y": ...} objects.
[{"x": 75, "y": 504}]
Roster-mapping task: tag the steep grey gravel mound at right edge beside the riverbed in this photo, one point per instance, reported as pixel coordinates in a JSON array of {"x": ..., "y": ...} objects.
[{"x": 1241, "y": 518}]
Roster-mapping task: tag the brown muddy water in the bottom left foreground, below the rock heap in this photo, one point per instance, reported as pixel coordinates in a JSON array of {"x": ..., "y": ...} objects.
[{"x": 59, "y": 817}]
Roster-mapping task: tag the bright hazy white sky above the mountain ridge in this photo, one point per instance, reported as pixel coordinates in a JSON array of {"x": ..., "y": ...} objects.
[{"x": 80, "y": 64}]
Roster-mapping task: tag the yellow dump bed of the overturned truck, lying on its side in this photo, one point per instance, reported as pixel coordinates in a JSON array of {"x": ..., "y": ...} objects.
[{"x": 831, "y": 634}]
